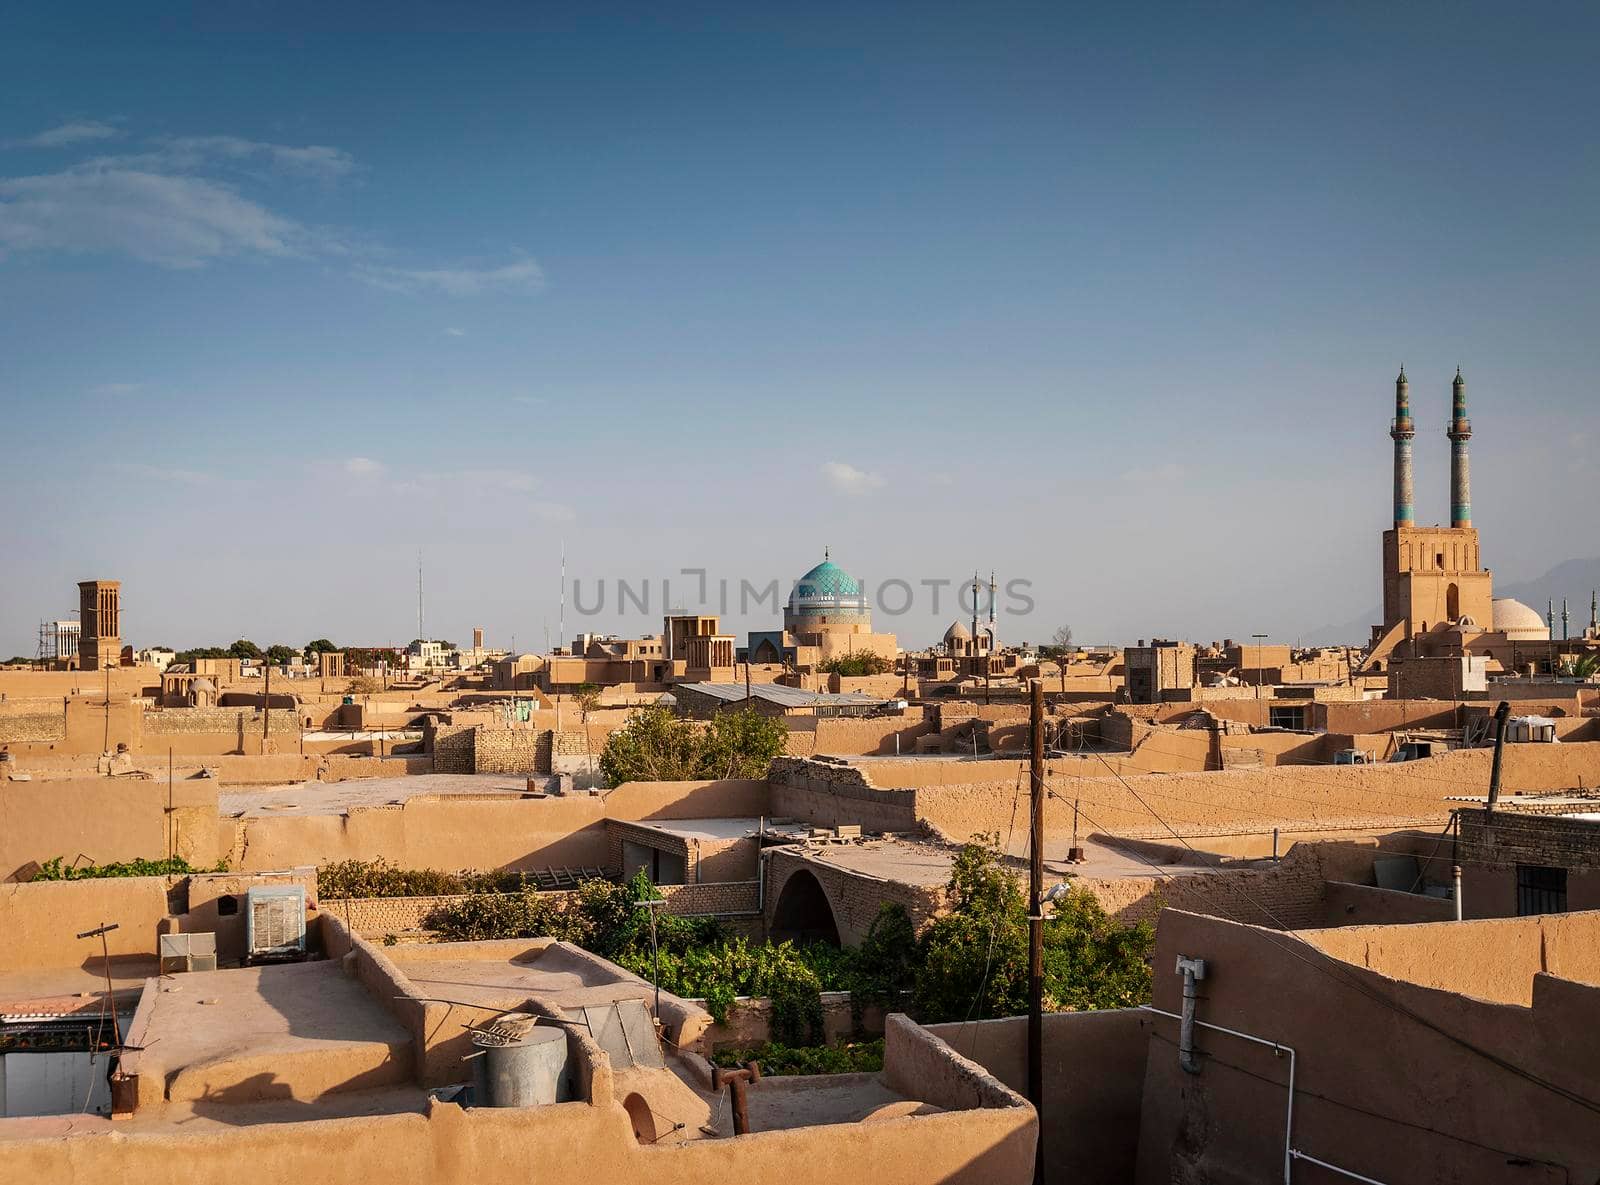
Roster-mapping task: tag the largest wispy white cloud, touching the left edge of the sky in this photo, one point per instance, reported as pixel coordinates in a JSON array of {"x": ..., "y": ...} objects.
[{"x": 174, "y": 221}]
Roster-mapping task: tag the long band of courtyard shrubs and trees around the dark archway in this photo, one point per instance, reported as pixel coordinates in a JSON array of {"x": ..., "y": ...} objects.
[{"x": 970, "y": 964}]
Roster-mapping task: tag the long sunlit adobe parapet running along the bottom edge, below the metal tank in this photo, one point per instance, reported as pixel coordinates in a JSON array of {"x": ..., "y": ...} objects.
[{"x": 577, "y": 1143}]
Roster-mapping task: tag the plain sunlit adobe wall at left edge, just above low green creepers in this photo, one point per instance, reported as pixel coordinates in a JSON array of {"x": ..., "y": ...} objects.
[{"x": 106, "y": 820}]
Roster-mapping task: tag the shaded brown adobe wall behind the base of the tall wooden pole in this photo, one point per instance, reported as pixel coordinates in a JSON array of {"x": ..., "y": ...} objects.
[{"x": 1094, "y": 1085}]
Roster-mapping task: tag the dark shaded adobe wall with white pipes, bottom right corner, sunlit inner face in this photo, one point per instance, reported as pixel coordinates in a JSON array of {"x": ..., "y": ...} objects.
[{"x": 1353, "y": 1107}]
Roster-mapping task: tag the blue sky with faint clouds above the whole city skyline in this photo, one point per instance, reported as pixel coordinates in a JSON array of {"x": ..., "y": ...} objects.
[{"x": 1106, "y": 300}]
